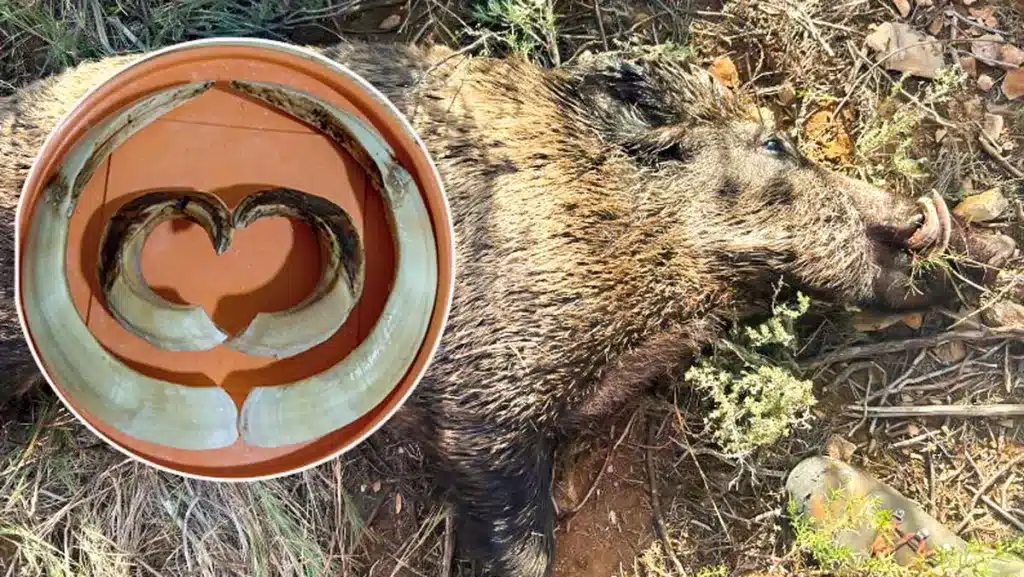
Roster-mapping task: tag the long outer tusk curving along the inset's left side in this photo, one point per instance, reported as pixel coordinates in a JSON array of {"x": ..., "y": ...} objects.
[{"x": 150, "y": 409}]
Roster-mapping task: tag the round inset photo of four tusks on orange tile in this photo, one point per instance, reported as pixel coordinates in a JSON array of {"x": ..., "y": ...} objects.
[{"x": 235, "y": 260}]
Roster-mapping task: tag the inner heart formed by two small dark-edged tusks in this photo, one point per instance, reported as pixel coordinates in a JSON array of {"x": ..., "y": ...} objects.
[{"x": 182, "y": 327}]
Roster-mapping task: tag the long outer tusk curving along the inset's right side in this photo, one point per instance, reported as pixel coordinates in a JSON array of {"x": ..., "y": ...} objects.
[{"x": 302, "y": 411}]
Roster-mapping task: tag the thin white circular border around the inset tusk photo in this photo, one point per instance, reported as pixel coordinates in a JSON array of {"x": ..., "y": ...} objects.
[{"x": 333, "y": 66}]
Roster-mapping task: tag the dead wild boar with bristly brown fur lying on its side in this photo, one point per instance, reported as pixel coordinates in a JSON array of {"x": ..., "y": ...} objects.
[{"x": 611, "y": 219}]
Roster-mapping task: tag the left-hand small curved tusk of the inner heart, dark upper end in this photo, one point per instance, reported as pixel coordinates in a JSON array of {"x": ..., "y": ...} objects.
[{"x": 130, "y": 299}]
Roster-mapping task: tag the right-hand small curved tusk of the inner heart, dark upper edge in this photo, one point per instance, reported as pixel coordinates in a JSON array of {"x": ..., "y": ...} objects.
[{"x": 310, "y": 323}]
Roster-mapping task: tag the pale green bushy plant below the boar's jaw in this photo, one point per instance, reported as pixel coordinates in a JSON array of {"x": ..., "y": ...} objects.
[{"x": 757, "y": 402}]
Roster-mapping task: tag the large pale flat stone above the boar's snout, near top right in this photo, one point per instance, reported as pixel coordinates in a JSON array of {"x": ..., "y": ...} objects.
[{"x": 906, "y": 50}]
